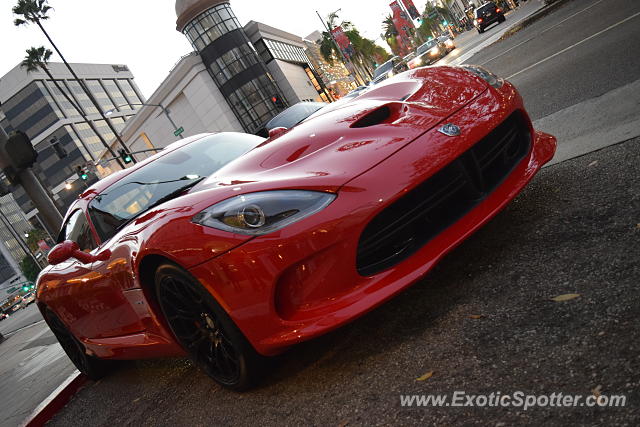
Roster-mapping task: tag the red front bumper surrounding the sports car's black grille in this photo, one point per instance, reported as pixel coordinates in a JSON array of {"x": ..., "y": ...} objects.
[{"x": 301, "y": 282}]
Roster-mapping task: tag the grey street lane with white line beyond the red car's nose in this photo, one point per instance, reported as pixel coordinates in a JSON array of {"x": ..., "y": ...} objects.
[{"x": 589, "y": 67}]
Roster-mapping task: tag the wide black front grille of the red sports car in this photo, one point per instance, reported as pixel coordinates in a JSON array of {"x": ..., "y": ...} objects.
[{"x": 413, "y": 220}]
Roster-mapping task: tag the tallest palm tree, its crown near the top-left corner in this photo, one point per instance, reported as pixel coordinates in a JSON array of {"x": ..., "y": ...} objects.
[{"x": 36, "y": 11}]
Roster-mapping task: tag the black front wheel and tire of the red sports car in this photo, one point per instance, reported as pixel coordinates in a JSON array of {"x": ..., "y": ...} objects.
[{"x": 205, "y": 331}]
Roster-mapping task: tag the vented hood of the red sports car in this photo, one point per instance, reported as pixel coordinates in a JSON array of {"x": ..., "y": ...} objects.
[{"x": 342, "y": 143}]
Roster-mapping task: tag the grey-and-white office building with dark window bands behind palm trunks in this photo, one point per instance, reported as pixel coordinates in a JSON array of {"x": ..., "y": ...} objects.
[{"x": 37, "y": 105}]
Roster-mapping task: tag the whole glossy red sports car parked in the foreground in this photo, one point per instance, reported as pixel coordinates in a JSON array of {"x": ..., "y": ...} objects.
[{"x": 229, "y": 248}]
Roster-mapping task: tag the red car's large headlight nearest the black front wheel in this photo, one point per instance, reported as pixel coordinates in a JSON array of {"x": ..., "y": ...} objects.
[{"x": 260, "y": 213}]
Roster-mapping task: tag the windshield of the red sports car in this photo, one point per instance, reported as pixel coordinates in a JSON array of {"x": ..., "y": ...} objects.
[{"x": 166, "y": 177}]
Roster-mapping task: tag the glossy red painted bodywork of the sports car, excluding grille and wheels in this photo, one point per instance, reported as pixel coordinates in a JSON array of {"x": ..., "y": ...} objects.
[{"x": 301, "y": 281}]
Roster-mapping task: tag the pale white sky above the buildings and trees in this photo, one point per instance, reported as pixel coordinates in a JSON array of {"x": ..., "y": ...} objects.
[{"x": 142, "y": 34}]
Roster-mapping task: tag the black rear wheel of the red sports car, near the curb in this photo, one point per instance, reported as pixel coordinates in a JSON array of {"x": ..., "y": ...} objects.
[{"x": 90, "y": 366}]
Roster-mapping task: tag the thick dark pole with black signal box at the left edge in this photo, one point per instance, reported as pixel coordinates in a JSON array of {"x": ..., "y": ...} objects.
[{"x": 32, "y": 186}]
